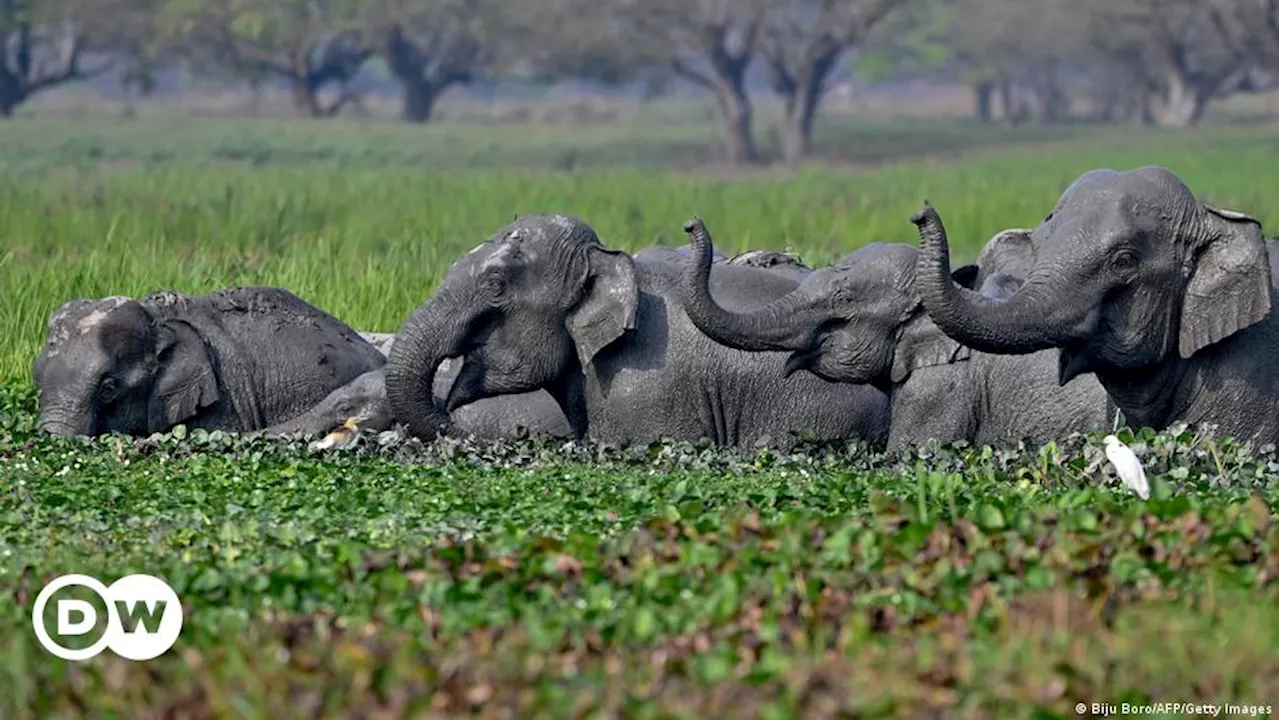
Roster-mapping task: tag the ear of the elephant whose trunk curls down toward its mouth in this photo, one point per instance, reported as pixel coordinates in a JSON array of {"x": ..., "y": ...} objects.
[{"x": 609, "y": 304}]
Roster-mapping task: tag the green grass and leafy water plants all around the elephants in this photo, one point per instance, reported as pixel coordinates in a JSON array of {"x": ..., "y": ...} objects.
[{"x": 529, "y": 580}]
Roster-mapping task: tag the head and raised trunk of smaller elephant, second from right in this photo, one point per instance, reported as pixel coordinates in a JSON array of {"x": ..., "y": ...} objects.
[{"x": 860, "y": 321}]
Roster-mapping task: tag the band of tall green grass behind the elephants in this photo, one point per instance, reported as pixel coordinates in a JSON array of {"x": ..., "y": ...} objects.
[{"x": 371, "y": 243}]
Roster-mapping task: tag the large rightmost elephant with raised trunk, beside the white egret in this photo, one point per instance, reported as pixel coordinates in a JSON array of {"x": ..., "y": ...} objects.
[{"x": 1165, "y": 300}]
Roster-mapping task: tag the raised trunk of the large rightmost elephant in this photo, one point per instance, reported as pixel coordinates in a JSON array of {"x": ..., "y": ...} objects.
[{"x": 1016, "y": 326}]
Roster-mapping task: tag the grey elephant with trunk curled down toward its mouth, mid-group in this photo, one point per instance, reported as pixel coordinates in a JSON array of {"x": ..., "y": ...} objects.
[{"x": 545, "y": 304}]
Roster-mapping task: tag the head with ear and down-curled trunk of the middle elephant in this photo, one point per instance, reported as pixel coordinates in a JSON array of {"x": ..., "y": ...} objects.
[{"x": 527, "y": 309}]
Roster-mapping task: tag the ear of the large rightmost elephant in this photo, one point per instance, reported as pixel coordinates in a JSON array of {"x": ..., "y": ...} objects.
[{"x": 1229, "y": 288}]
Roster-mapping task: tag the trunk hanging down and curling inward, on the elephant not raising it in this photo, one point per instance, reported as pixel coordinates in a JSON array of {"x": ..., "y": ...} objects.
[{"x": 436, "y": 331}]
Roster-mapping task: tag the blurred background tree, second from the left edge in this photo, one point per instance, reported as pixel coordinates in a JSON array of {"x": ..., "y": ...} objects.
[{"x": 309, "y": 44}]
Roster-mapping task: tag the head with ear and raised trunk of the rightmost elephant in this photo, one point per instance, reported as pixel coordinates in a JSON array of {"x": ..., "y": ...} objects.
[{"x": 1128, "y": 270}]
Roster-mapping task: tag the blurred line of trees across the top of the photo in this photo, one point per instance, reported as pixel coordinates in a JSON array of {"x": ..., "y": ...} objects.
[{"x": 1154, "y": 62}]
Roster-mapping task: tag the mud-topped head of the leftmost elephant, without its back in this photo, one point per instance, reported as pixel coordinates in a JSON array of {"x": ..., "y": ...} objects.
[{"x": 112, "y": 366}]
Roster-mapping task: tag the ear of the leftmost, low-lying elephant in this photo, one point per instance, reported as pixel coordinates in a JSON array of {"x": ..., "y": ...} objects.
[{"x": 186, "y": 382}]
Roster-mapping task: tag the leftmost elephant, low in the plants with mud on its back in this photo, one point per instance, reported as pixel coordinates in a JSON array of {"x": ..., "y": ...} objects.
[{"x": 237, "y": 359}]
